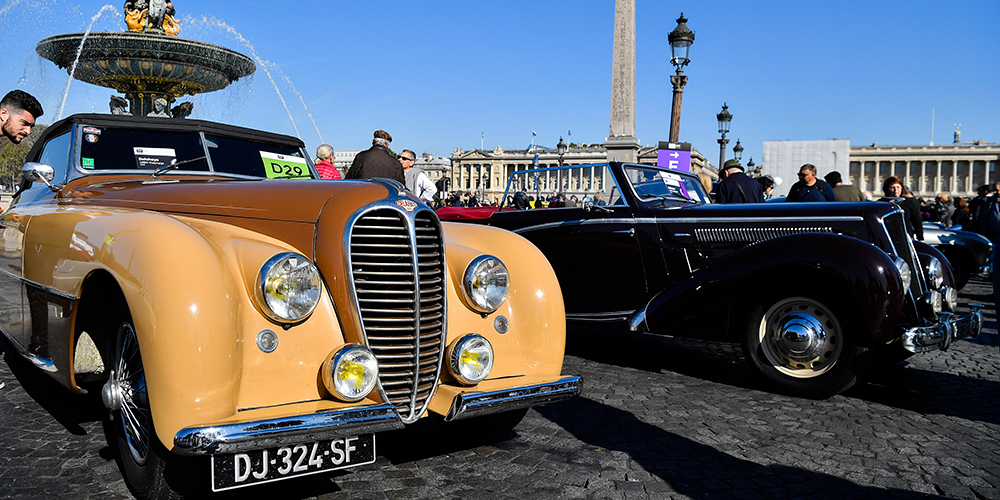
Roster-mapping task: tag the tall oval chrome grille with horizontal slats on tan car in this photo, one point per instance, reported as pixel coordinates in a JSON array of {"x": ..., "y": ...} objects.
[{"x": 399, "y": 284}]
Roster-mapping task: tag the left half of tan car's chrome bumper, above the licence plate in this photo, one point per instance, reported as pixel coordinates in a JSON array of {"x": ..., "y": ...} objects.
[{"x": 258, "y": 434}]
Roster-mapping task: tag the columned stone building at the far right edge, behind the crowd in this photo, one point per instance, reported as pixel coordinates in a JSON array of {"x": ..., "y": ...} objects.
[{"x": 957, "y": 168}]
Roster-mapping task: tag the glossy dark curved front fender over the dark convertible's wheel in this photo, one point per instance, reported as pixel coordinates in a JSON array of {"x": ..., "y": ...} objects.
[{"x": 706, "y": 304}]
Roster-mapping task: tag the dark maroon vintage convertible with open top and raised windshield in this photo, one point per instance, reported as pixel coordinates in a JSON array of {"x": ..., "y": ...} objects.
[{"x": 813, "y": 291}]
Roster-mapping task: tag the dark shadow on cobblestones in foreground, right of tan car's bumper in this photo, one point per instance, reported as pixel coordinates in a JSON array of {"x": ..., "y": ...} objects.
[{"x": 698, "y": 470}]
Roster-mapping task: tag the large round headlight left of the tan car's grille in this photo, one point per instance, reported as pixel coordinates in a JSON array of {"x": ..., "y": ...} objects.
[{"x": 288, "y": 287}]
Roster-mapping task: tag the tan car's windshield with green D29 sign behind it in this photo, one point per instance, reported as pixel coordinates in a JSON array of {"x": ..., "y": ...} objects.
[{"x": 110, "y": 149}]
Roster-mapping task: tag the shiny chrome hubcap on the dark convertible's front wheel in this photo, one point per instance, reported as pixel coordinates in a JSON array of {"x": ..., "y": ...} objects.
[{"x": 800, "y": 337}]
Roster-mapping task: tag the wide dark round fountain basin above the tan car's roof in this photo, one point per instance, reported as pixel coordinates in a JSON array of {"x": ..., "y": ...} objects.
[{"x": 147, "y": 66}]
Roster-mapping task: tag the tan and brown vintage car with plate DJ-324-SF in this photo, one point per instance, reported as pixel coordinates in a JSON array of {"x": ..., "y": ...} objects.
[{"x": 247, "y": 324}]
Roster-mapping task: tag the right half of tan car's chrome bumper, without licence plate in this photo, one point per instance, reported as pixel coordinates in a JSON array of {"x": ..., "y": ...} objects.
[{"x": 484, "y": 403}]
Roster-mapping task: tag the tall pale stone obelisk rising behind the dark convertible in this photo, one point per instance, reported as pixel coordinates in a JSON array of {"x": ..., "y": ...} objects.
[{"x": 621, "y": 143}]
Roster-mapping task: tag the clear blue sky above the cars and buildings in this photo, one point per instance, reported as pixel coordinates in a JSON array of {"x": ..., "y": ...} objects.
[{"x": 438, "y": 74}]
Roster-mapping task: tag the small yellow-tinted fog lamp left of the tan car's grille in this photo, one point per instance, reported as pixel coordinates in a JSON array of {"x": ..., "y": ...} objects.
[{"x": 350, "y": 372}]
